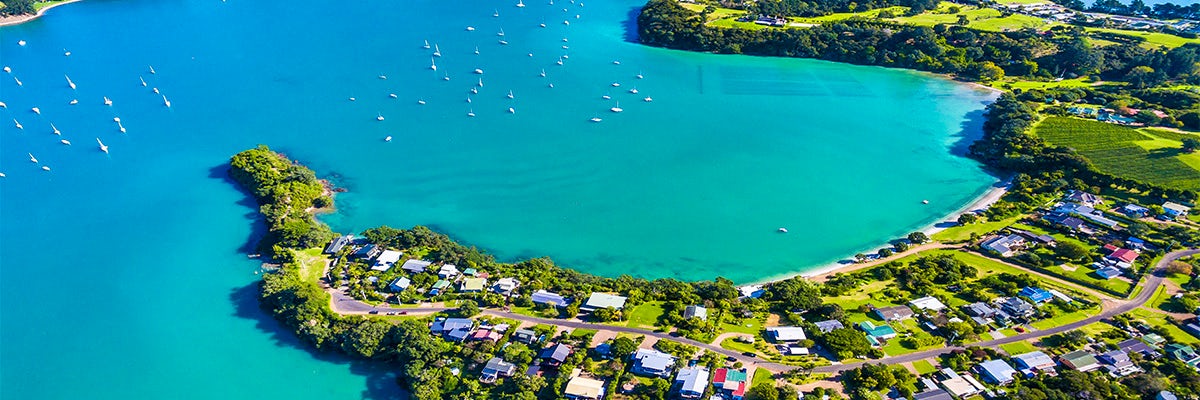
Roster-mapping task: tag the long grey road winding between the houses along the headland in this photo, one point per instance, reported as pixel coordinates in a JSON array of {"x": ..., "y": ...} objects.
[{"x": 345, "y": 305}]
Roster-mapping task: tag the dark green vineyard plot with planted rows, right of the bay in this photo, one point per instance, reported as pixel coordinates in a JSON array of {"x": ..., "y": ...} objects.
[{"x": 1115, "y": 150}]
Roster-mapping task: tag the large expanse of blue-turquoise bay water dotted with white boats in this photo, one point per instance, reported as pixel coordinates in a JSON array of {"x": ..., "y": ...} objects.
[{"x": 125, "y": 277}]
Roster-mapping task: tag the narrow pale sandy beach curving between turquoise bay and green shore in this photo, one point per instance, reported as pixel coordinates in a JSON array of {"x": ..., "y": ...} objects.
[{"x": 981, "y": 204}]
